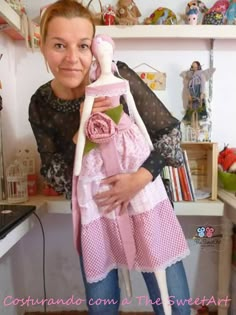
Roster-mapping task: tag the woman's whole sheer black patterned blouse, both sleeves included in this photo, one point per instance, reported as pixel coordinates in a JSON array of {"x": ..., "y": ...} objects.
[{"x": 55, "y": 121}]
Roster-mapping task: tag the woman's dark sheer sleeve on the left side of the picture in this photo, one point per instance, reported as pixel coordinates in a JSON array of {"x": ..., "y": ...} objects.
[{"x": 56, "y": 167}]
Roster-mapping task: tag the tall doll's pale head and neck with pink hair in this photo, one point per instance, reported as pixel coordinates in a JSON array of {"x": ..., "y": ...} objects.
[{"x": 103, "y": 49}]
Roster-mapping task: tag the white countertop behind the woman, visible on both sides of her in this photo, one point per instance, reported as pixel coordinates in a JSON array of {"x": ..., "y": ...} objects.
[{"x": 59, "y": 205}]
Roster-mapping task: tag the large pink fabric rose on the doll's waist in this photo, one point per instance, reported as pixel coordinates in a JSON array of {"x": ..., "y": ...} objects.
[{"x": 100, "y": 128}]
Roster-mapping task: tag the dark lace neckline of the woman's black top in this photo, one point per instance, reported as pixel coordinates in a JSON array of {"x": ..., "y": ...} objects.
[{"x": 58, "y": 104}]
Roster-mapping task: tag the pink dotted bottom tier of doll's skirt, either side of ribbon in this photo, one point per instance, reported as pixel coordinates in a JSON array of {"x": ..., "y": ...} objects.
[{"x": 158, "y": 238}]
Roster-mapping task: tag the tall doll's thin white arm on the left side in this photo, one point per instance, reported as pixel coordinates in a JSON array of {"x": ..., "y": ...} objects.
[{"x": 87, "y": 109}]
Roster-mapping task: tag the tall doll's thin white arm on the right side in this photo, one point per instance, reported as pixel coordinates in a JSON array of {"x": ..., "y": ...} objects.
[{"x": 138, "y": 120}]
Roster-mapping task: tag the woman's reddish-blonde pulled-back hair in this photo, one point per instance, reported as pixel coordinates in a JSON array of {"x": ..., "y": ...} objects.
[{"x": 63, "y": 8}]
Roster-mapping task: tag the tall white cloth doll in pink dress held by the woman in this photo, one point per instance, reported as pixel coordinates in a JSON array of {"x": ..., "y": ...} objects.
[{"x": 144, "y": 236}]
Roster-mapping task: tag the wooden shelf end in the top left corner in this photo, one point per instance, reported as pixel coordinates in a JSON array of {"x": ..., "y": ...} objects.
[{"x": 10, "y": 17}]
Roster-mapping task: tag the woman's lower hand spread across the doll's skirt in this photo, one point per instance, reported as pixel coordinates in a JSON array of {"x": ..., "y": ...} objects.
[{"x": 124, "y": 188}]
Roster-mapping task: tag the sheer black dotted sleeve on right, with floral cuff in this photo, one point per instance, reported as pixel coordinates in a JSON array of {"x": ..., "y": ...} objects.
[{"x": 163, "y": 128}]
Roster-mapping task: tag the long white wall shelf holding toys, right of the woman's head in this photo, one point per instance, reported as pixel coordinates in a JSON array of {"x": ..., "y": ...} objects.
[{"x": 169, "y": 31}]
